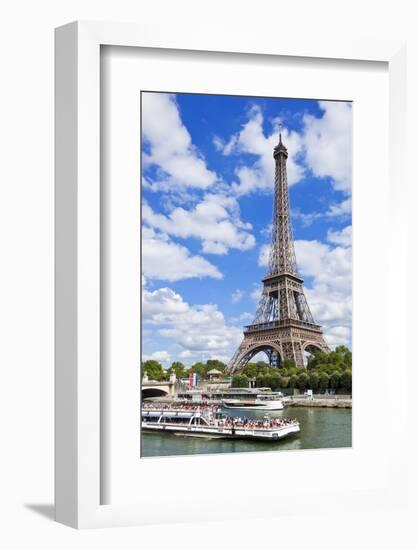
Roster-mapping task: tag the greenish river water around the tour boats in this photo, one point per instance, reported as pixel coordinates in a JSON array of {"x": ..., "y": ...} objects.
[{"x": 321, "y": 428}]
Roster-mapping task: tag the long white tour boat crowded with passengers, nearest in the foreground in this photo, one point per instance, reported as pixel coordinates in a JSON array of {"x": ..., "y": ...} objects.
[{"x": 209, "y": 424}]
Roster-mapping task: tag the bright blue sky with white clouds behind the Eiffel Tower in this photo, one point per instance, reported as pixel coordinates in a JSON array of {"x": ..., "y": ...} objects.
[{"x": 207, "y": 183}]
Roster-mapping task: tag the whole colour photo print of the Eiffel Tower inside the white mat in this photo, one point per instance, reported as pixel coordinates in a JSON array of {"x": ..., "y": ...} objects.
[{"x": 246, "y": 259}]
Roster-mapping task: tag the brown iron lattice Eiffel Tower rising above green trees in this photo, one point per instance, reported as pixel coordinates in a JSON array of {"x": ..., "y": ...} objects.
[{"x": 283, "y": 327}]
